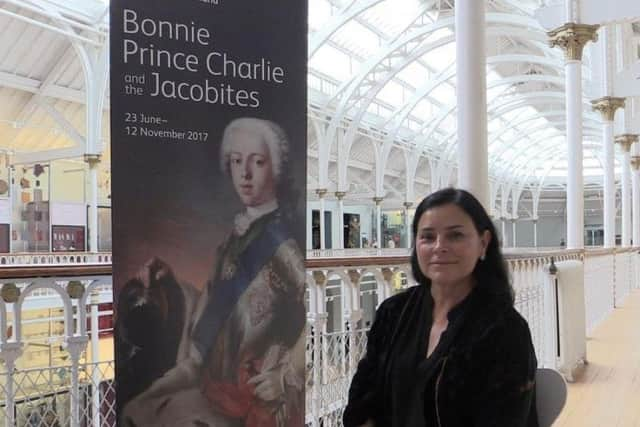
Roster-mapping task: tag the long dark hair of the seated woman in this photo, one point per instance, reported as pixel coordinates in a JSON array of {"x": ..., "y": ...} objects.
[{"x": 491, "y": 274}]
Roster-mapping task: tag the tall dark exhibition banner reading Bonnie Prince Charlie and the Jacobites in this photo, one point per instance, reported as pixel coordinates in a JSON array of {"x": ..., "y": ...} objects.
[{"x": 208, "y": 150}]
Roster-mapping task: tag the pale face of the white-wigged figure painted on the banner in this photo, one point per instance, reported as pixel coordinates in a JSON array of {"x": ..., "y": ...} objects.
[{"x": 251, "y": 168}]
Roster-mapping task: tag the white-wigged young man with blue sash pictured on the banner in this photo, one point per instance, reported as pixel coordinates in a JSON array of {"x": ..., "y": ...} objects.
[{"x": 245, "y": 361}]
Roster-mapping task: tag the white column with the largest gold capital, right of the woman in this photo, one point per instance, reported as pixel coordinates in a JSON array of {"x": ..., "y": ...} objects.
[{"x": 571, "y": 38}]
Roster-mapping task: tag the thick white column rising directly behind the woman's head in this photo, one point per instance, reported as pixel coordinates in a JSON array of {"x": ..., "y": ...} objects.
[{"x": 471, "y": 93}]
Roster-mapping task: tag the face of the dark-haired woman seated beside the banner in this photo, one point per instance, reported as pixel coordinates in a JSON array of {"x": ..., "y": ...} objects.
[{"x": 448, "y": 245}]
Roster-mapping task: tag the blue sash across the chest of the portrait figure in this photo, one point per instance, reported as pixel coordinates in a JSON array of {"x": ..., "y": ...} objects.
[{"x": 225, "y": 293}]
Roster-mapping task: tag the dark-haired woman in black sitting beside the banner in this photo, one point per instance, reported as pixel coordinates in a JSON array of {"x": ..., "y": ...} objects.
[{"x": 452, "y": 351}]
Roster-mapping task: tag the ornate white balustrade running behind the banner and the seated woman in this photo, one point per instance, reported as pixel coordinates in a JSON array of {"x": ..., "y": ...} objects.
[{"x": 341, "y": 301}]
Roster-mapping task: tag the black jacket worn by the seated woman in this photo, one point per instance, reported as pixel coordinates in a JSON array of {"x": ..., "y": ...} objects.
[{"x": 484, "y": 376}]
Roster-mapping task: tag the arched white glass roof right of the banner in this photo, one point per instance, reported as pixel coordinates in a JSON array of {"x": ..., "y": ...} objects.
[{"x": 409, "y": 90}]
